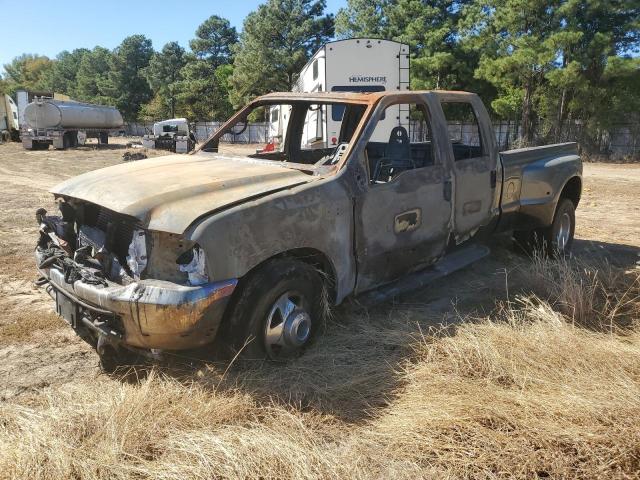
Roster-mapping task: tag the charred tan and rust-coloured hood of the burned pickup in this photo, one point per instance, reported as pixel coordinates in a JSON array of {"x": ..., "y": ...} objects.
[{"x": 169, "y": 193}]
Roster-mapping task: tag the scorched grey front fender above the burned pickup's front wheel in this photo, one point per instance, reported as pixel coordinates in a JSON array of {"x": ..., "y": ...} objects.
[{"x": 317, "y": 216}]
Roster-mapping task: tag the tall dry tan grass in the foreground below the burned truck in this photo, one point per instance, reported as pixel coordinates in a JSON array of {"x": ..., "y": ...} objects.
[{"x": 547, "y": 385}]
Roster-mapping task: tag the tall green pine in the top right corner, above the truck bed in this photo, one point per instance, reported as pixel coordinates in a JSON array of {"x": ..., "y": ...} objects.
[{"x": 597, "y": 82}]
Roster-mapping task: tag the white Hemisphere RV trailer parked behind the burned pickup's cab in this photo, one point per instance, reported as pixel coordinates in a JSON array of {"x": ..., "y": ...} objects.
[{"x": 353, "y": 65}]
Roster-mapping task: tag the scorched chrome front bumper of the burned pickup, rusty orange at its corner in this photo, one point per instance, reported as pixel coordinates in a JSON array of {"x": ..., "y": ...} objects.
[{"x": 151, "y": 314}]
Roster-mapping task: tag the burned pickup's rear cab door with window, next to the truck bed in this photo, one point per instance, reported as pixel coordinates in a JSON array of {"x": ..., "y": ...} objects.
[{"x": 474, "y": 157}]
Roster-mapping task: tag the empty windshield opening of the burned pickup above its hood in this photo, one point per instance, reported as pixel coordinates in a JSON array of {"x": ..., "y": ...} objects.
[{"x": 299, "y": 132}]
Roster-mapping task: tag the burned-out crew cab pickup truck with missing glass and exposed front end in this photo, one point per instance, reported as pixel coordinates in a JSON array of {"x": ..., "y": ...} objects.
[{"x": 170, "y": 253}]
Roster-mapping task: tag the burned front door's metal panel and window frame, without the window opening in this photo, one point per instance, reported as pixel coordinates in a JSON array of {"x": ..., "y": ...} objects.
[{"x": 384, "y": 253}]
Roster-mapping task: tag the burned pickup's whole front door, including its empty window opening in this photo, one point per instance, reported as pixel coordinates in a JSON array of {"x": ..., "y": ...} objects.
[{"x": 402, "y": 216}]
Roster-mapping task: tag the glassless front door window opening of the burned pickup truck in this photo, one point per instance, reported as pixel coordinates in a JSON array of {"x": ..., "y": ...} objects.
[{"x": 401, "y": 141}]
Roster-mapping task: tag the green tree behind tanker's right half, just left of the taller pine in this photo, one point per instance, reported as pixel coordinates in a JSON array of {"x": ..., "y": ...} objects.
[{"x": 92, "y": 79}]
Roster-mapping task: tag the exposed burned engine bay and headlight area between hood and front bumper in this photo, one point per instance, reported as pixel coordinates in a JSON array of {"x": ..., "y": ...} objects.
[{"x": 90, "y": 243}]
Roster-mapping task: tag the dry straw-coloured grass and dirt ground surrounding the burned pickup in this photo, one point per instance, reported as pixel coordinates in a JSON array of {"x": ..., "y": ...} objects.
[{"x": 511, "y": 368}]
